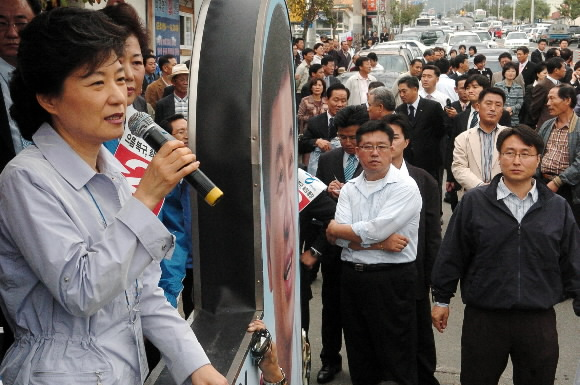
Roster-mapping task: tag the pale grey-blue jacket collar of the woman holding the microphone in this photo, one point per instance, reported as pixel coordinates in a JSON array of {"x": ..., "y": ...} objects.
[{"x": 68, "y": 163}]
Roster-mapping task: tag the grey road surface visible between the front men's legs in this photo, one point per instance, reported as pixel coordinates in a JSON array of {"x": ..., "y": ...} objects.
[{"x": 448, "y": 344}]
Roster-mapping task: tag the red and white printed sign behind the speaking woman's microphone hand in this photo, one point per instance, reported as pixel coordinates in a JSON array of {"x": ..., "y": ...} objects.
[{"x": 135, "y": 155}]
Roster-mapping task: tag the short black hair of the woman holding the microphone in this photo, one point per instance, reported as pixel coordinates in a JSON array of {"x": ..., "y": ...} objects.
[{"x": 53, "y": 46}]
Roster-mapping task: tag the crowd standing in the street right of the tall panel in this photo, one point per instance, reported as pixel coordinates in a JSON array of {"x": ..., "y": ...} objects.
[{"x": 507, "y": 142}]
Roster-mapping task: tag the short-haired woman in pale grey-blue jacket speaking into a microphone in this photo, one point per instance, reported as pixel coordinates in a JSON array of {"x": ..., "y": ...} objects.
[{"x": 79, "y": 255}]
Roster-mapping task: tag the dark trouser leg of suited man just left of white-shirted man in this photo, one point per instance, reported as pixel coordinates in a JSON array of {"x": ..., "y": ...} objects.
[{"x": 331, "y": 328}]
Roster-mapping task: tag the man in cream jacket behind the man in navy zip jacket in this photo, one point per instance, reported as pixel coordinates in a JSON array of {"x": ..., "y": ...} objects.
[{"x": 475, "y": 160}]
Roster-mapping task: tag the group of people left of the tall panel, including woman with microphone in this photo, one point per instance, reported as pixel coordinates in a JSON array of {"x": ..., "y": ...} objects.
[{"x": 87, "y": 285}]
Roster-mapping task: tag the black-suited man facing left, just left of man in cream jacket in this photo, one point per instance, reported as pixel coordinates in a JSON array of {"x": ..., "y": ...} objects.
[{"x": 427, "y": 127}]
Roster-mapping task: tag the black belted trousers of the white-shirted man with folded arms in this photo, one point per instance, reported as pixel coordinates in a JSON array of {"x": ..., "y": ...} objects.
[{"x": 379, "y": 322}]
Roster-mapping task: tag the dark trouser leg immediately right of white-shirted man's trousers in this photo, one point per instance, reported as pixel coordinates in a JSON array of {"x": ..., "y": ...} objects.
[{"x": 426, "y": 353}]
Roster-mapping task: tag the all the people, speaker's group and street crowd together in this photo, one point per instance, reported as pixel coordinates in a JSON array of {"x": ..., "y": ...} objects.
[{"x": 80, "y": 250}]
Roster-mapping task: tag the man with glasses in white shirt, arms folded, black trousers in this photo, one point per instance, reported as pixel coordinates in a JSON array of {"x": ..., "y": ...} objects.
[{"x": 376, "y": 223}]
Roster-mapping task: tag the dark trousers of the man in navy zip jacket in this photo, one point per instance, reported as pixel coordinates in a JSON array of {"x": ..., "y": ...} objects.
[{"x": 489, "y": 337}]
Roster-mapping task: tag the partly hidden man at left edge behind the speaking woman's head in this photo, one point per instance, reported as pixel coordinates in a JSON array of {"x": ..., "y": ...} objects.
[{"x": 14, "y": 16}]
